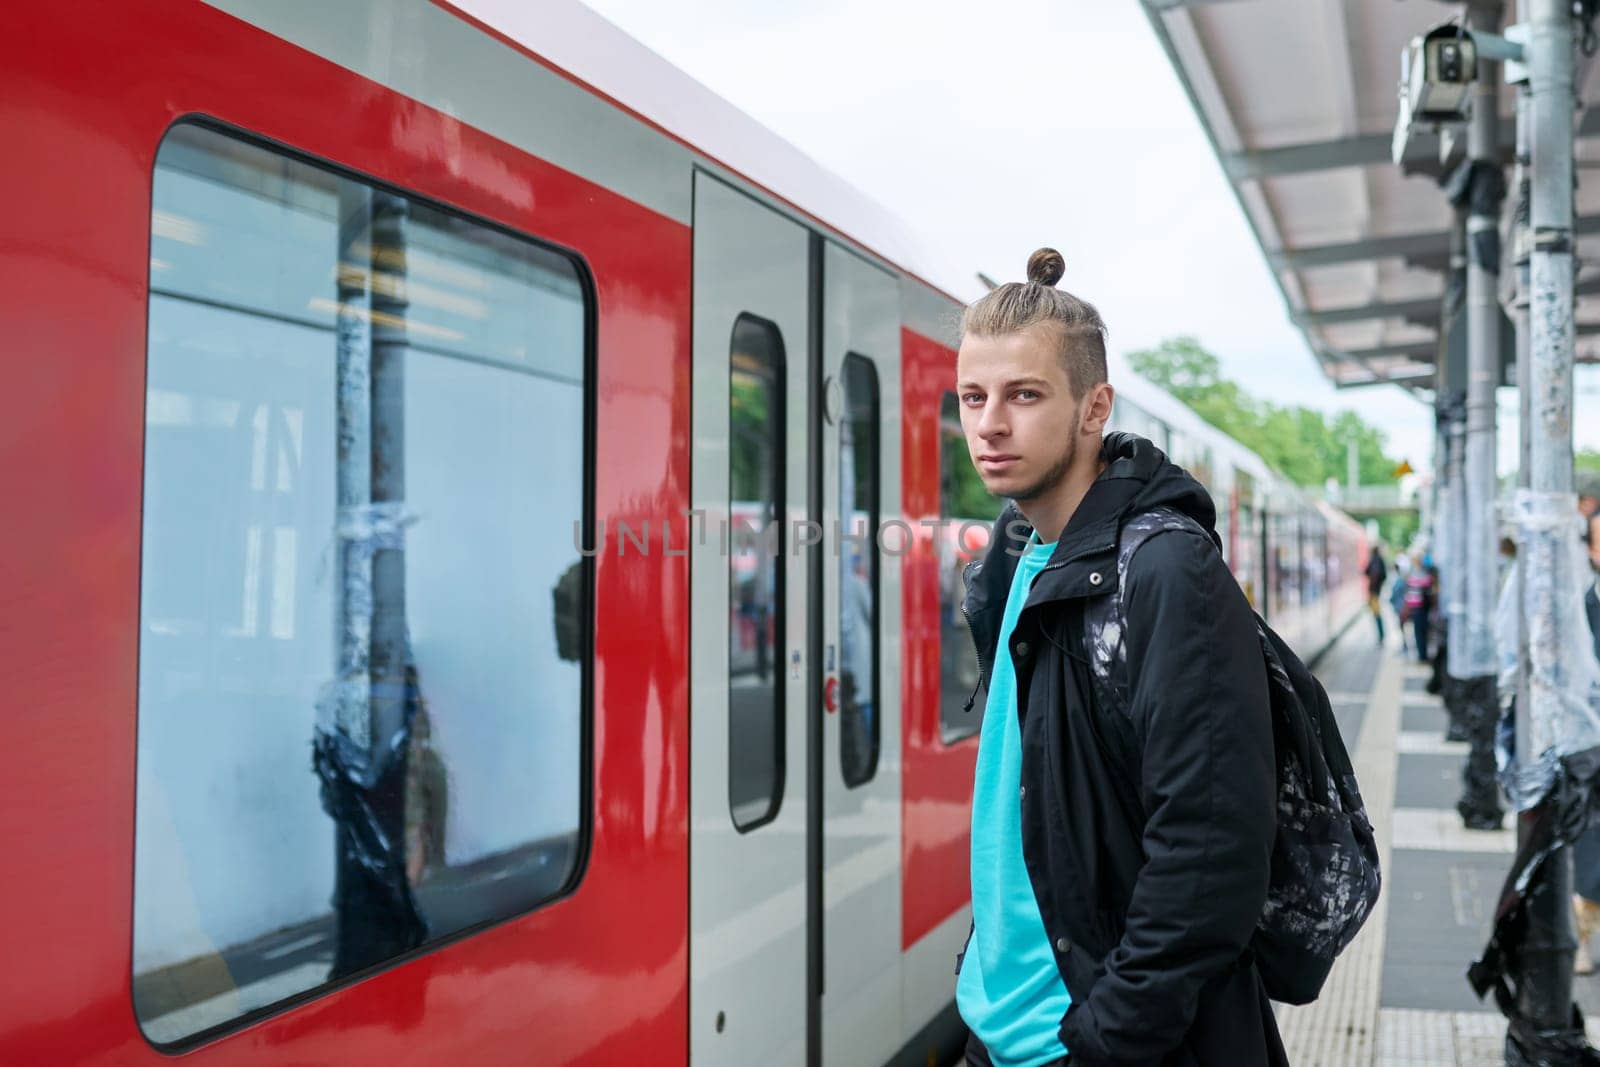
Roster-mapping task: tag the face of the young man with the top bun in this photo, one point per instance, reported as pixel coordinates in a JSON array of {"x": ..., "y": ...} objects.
[{"x": 1023, "y": 425}]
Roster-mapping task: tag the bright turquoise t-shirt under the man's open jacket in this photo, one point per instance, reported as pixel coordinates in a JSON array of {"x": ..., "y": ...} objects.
[{"x": 1010, "y": 991}]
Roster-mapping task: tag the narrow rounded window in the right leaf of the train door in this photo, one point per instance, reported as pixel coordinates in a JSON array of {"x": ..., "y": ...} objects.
[{"x": 860, "y": 709}]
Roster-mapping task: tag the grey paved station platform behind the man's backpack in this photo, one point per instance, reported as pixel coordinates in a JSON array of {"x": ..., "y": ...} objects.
[{"x": 1399, "y": 996}]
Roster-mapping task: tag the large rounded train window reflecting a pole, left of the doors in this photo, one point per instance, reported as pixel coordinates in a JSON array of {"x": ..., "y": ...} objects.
[{"x": 362, "y": 620}]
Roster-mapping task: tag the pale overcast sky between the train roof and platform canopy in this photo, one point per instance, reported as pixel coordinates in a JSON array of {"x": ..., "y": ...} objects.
[{"x": 1031, "y": 122}]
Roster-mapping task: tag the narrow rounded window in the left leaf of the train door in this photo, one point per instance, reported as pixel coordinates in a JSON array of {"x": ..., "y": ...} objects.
[{"x": 756, "y": 572}]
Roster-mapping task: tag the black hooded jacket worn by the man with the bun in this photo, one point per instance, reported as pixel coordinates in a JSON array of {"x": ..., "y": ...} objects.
[{"x": 1148, "y": 823}]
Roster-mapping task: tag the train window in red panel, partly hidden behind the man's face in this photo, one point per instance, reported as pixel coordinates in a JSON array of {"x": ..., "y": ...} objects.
[{"x": 969, "y": 511}]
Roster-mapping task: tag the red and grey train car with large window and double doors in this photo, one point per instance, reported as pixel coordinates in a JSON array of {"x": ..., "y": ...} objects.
[{"x": 402, "y": 402}]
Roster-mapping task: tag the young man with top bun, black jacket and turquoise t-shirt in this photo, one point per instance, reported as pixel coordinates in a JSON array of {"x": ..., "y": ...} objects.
[{"x": 1124, "y": 799}]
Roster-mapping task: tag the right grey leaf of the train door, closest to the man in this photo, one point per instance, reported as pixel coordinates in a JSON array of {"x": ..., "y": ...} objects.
[{"x": 862, "y": 639}]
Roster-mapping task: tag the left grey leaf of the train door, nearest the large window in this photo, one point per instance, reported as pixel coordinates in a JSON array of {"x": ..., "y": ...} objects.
[{"x": 750, "y": 690}]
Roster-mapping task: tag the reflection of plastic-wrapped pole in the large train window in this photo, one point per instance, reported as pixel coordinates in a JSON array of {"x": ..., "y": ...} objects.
[{"x": 362, "y": 754}]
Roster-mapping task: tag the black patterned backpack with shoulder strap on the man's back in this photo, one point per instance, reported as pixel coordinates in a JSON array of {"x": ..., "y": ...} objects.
[{"x": 1326, "y": 874}]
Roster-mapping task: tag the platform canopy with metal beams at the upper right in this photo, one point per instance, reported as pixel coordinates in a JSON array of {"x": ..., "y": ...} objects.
[{"x": 1300, "y": 102}]
